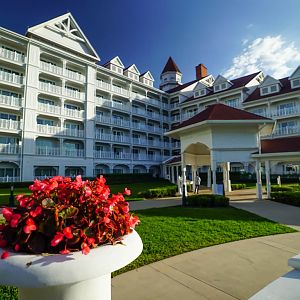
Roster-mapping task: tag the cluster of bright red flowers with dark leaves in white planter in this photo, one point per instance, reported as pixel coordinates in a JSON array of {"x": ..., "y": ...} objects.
[{"x": 62, "y": 215}]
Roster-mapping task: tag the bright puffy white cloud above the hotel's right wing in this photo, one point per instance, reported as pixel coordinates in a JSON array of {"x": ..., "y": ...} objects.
[{"x": 273, "y": 55}]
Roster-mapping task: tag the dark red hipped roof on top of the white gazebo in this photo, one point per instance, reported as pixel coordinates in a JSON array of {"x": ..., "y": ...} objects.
[{"x": 220, "y": 112}]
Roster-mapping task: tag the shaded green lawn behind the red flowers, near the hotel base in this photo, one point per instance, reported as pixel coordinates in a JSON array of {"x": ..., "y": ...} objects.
[{"x": 115, "y": 188}]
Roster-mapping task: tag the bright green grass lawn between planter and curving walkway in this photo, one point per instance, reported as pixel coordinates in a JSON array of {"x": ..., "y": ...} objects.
[{"x": 171, "y": 231}]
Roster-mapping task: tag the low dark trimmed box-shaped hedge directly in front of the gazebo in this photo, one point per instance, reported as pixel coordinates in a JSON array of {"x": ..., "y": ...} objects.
[{"x": 207, "y": 201}]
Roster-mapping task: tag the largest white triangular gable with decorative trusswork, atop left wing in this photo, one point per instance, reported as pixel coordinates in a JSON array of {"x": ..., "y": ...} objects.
[{"x": 64, "y": 31}]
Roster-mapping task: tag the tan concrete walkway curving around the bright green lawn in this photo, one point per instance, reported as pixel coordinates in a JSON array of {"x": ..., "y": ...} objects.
[{"x": 234, "y": 270}]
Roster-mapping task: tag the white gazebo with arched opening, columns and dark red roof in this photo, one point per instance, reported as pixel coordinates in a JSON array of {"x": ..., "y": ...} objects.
[{"x": 219, "y": 135}]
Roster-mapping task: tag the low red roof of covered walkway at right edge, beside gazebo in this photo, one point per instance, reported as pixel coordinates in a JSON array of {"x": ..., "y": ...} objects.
[{"x": 287, "y": 144}]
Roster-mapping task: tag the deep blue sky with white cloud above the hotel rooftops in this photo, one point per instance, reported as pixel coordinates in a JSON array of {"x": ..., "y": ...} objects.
[{"x": 232, "y": 38}]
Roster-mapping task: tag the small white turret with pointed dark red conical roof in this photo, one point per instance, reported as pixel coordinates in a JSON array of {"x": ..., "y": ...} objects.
[{"x": 170, "y": 76}]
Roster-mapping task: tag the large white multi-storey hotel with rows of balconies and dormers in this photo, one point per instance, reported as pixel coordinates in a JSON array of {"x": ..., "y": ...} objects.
[{"x": 64, "y": 113}]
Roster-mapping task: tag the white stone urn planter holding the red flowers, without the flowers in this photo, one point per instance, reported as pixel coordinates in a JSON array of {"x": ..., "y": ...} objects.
[{"x": 69, "y": 277}]
